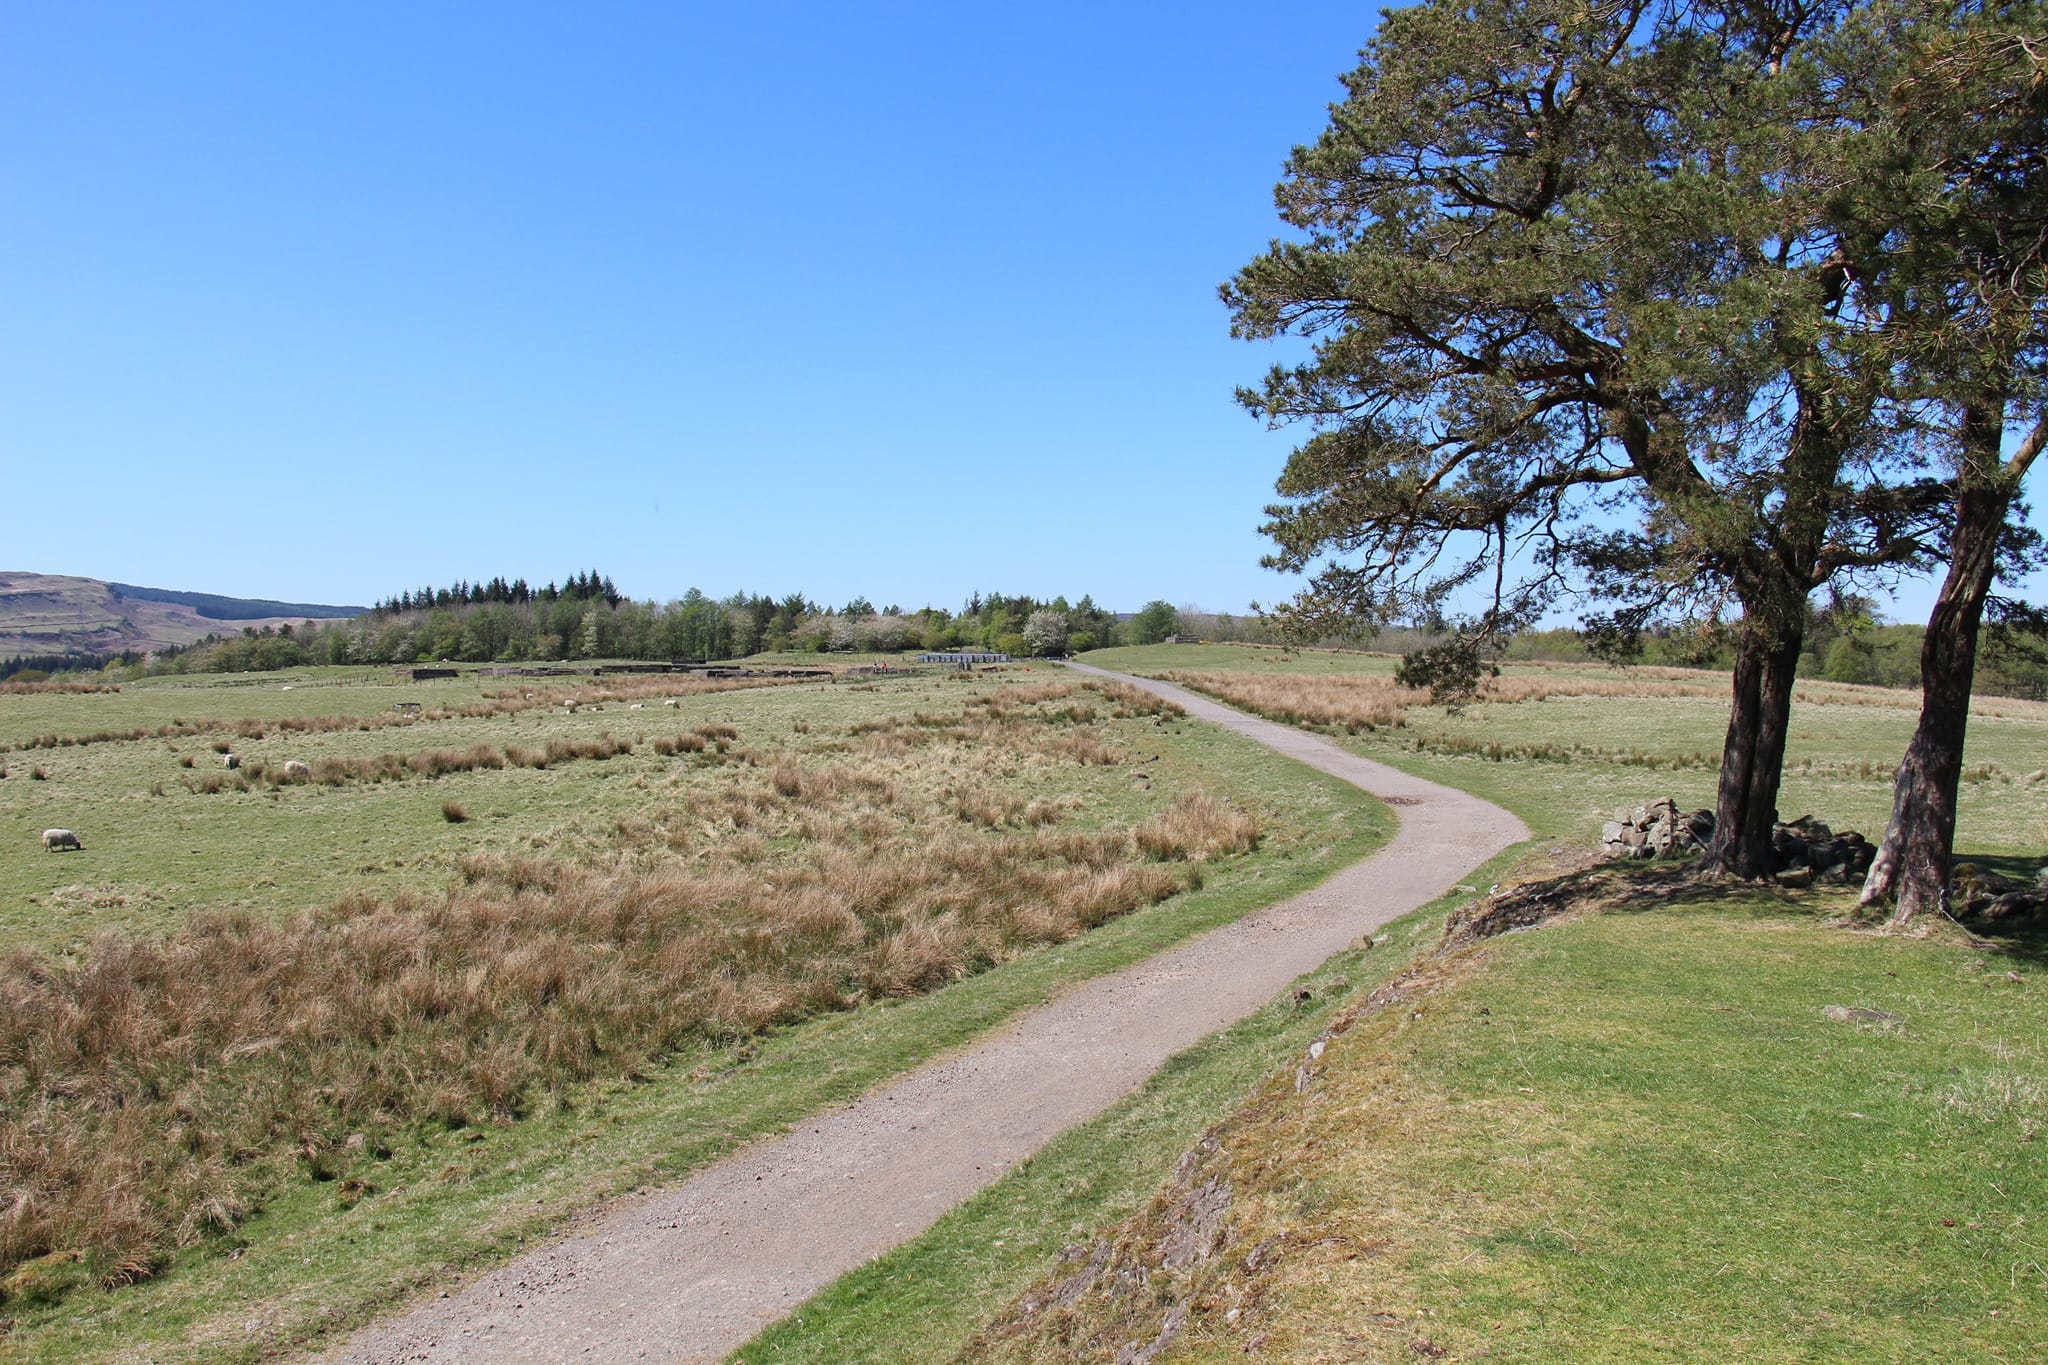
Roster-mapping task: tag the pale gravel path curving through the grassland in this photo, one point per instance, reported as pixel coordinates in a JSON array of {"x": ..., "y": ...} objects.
[{"x": 695, "y": 1270}]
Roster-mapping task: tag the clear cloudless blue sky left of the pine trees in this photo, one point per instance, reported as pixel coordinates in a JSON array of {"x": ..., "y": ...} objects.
[{"x": 890, "y": 300}]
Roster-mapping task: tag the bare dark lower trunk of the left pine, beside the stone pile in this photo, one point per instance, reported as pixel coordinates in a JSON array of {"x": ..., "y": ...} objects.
[{"x": 1752, "y": 760}]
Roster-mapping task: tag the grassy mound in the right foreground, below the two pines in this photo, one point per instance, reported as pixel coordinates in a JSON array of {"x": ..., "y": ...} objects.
[{"x": 1635, "y": 1137}]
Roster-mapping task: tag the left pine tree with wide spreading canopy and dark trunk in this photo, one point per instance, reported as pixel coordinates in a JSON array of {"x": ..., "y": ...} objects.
[{"x": 1592, "y": 306}]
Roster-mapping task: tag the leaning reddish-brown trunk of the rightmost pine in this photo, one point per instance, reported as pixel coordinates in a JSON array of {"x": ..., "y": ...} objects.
[{"x": 1916, "y": 854}]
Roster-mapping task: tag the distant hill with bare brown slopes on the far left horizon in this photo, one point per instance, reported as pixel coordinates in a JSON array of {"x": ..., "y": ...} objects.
[{"x": 56, "y": 615}]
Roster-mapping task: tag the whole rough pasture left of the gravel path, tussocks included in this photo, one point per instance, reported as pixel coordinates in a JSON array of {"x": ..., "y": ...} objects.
[{"x": 302, "y": 983}]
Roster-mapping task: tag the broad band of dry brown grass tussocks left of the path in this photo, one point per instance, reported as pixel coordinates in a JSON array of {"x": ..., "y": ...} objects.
[{"x": 157, "y": 1090}]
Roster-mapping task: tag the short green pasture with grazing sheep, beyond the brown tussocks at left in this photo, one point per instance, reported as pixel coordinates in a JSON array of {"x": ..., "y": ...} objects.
[{"x": 169, "y": 830}]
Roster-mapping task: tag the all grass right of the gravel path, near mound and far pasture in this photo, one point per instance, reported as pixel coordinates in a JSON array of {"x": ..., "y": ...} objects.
[{"x": 1631, "y": 1135}]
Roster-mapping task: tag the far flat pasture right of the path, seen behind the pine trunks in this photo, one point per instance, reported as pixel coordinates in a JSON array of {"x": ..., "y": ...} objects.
[{"x": 1566, "y": 746}]
